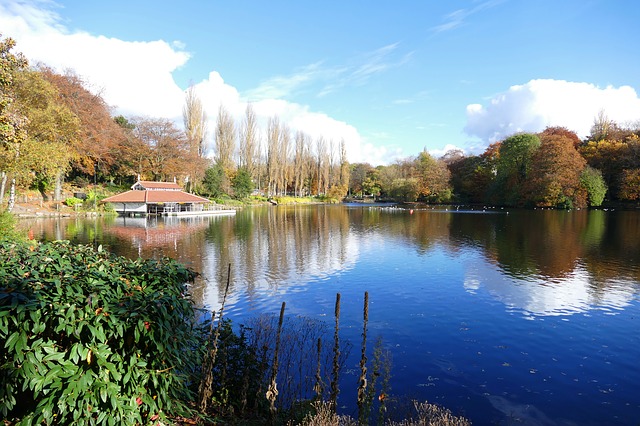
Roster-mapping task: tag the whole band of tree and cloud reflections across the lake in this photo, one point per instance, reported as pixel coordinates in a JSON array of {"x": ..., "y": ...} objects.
[{"x": 540, "y": 262}]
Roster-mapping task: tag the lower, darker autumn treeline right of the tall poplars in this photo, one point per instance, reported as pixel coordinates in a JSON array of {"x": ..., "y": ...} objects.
[{"x": 553, "y": 168}]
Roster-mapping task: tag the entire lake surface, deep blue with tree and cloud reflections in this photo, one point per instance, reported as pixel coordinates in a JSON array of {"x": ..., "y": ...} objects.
[{"x": 519, "y": 317}]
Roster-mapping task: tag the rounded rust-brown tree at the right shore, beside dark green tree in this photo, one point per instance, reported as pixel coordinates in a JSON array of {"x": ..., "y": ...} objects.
[{"x": 553, "y": 179}]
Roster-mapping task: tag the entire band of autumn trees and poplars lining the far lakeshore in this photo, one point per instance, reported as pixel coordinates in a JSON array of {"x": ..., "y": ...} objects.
[{"x": 55, "y": 128}]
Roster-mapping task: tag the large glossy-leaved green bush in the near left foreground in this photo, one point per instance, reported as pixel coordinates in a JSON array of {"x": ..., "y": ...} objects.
[{"x": 90, "y": 338}]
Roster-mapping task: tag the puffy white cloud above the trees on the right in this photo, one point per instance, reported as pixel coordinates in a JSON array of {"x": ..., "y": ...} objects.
[{"x": 540, "y": 103}]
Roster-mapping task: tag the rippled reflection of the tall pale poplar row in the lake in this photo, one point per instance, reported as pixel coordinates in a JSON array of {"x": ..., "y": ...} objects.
[{"x": 276, "y": 249}]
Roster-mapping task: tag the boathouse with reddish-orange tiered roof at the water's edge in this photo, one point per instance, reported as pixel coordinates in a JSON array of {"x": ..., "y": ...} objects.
[{"x": 157, "y": 198}]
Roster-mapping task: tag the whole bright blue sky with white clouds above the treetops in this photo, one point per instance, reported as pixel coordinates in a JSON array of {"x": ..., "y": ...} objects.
[{"x": 390, "y": 78}]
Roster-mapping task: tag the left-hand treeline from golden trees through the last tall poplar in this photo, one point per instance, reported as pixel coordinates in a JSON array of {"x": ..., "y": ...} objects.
[{"x": 55, "y": 128}]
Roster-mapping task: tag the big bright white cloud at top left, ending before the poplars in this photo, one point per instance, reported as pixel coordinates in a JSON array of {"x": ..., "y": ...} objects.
[{"x": 133, "y": 76}]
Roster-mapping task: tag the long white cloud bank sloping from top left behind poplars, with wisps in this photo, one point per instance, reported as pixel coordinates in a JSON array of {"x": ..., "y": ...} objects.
[{"x": 136, "y": 77}]
